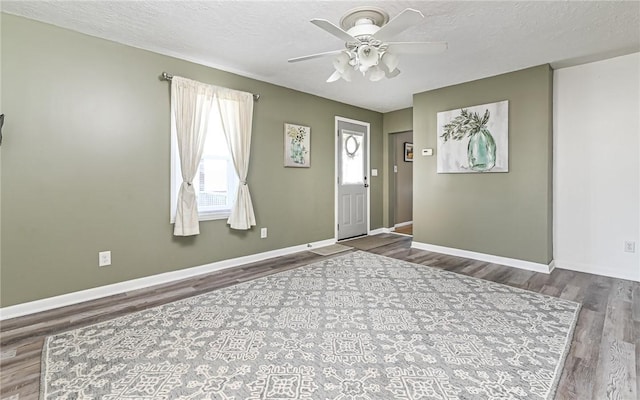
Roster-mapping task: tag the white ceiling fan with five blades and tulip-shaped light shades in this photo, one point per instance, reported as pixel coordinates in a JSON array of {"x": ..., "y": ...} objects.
[{"x": 365, "y": 31}]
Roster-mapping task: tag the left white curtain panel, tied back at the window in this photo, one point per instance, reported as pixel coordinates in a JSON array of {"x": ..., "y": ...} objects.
[{"x": 191, "y": 104}]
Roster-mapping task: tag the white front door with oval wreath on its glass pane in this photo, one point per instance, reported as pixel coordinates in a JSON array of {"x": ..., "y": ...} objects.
[{"x": 353, "y": 180}]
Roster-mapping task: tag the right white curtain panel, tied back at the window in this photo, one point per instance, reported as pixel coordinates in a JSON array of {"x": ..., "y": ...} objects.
[{"x": 236, "y": 113}]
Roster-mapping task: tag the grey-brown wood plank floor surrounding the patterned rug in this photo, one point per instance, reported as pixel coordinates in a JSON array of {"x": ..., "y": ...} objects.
[{"x": 604, "y": 361}]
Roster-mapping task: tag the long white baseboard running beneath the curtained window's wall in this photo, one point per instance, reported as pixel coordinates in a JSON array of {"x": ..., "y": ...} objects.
[{"x": 49, "y": 303}]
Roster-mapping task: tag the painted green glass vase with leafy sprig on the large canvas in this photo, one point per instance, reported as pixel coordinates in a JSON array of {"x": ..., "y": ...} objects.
[{"x": 481, "y": 149}]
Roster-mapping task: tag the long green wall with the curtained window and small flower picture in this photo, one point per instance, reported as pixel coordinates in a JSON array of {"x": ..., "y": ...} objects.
[{"x": 85, "y": 165}]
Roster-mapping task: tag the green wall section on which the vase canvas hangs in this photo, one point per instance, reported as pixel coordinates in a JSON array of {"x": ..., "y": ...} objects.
[{"x": 503, "y": 214}]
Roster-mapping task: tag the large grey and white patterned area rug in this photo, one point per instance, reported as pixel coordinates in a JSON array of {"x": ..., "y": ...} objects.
[{"x": 358, "y": 326}]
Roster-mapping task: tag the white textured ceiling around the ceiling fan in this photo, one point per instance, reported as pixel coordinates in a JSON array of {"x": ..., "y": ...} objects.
[{"x": 255, "y": 38}]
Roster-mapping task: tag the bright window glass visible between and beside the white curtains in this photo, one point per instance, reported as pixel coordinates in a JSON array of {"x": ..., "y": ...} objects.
[{"x": 216, "y": 182}]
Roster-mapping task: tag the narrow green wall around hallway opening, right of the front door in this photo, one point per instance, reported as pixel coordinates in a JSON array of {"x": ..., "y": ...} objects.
[{"x": 392, "y": 122}]
